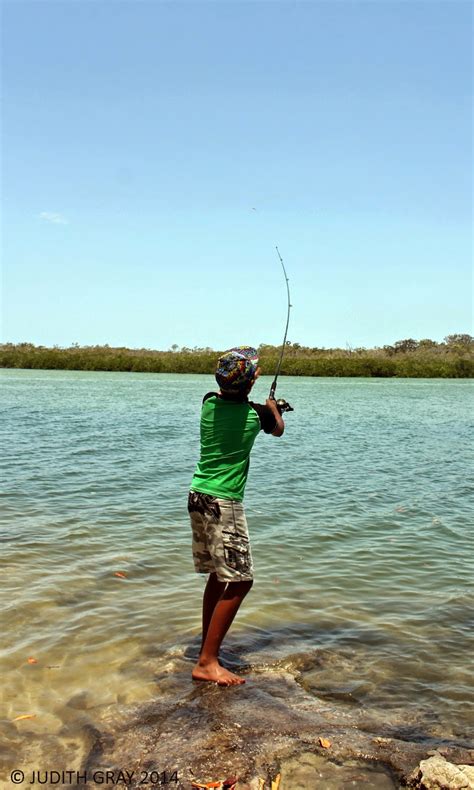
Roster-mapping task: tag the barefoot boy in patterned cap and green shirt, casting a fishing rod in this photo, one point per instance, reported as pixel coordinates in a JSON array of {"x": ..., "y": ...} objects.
[{"x": 230, "y": 424}]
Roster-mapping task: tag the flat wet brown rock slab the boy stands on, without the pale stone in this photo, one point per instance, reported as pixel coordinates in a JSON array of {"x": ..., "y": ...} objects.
[{"x": 268, "y": 726}]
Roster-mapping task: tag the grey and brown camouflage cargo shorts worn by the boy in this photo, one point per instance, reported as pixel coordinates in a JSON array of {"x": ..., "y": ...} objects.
[{"x": 220, "y": 537}]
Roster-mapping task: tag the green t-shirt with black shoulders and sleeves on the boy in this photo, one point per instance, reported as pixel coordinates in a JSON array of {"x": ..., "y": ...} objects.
[{"x": 228, "y": 431}]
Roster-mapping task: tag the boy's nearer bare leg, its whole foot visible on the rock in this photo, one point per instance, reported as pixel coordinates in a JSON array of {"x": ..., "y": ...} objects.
[{"x": 227, "y": 606}]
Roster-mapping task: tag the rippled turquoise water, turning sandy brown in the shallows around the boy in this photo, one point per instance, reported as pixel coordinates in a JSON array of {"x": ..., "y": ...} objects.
[{"x": 360, "y": 524}]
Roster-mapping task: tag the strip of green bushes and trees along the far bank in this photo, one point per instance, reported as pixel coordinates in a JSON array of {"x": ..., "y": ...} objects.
[{"x": 454, "y": 358}]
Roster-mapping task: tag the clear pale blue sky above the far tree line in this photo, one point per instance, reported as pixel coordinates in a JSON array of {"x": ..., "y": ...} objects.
[{"x": 155, "y": 153}]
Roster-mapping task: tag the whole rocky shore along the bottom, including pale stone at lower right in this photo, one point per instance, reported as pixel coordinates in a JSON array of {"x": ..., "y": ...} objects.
[{"x": 268, "y": 727}]
